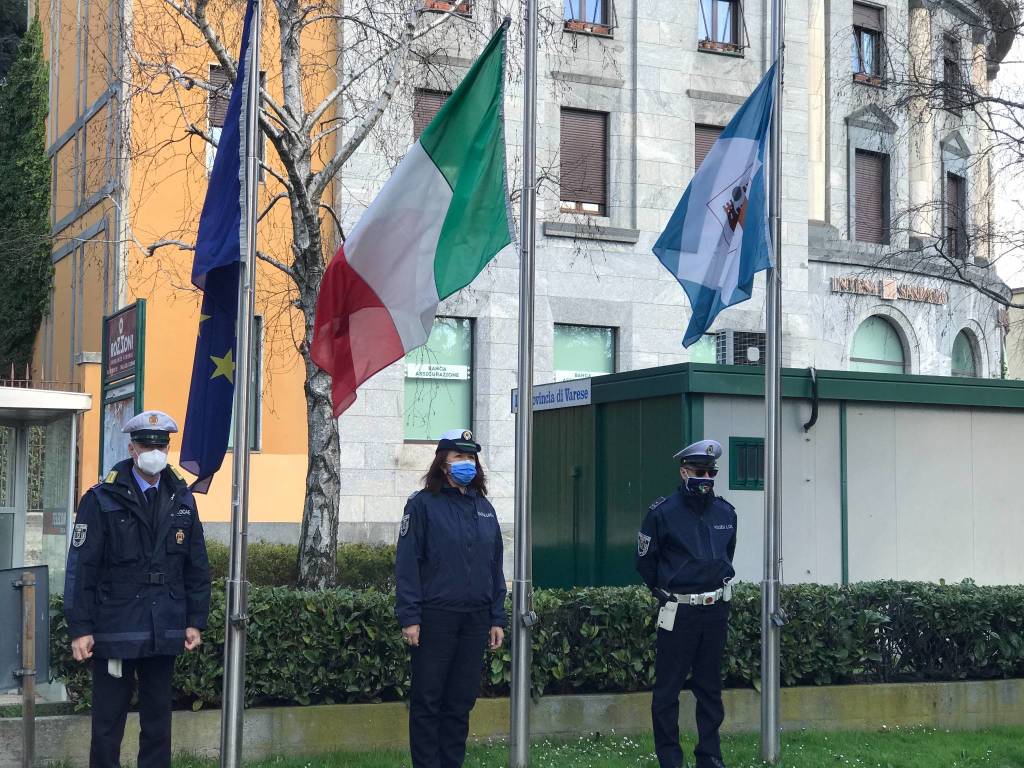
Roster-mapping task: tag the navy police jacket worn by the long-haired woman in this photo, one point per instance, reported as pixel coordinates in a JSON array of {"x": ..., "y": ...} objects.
[{"x": 450, "y": 557}]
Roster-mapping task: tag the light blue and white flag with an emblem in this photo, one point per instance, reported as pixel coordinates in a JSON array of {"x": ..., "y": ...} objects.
[{"x": 718, "y": 237}]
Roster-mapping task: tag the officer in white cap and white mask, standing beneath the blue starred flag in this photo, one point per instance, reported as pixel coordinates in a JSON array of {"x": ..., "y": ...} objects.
[{"x": 137, "y": 591}]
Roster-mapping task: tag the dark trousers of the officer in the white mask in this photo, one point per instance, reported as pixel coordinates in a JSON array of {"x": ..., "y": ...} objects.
[{"x": 111, "y": 699}]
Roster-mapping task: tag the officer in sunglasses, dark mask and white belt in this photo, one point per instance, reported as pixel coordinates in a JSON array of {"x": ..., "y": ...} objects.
[{"x": 685, "y": 554}]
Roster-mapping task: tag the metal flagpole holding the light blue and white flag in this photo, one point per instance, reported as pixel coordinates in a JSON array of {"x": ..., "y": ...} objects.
[{"x": 772, "y": 616}]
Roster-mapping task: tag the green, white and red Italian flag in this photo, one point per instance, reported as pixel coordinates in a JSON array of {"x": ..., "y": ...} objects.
[{"x": 435, "y": 226}]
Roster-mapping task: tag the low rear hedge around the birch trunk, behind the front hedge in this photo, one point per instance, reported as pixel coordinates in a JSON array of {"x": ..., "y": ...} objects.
[{"x": 360, "y": 566}]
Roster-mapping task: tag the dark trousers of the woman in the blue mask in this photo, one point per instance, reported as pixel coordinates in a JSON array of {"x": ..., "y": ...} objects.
[{"x": 447, "y": 669}]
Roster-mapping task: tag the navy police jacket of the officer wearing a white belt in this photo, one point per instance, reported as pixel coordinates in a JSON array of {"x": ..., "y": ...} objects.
[{"x": 687, "y": 543}]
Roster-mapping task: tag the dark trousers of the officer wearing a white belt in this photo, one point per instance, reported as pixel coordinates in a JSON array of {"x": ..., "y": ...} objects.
[{"x": 694, "y": 649}]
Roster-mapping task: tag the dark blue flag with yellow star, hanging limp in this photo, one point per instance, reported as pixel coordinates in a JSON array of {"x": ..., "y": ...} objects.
[{"x": 216, "y": 273}]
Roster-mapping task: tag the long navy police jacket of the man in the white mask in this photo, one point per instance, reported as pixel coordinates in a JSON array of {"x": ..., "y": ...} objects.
[{"x": 137, "y": 579}]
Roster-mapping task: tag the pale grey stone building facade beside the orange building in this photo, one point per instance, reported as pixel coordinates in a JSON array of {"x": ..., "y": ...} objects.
[{"x": 645, "y": 68}]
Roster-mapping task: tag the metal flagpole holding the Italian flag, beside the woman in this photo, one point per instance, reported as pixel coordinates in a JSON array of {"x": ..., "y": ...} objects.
[{"x": 523, "y": 580}]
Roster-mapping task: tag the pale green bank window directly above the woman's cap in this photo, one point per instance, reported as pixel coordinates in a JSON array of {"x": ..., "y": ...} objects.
[{"x": 439, "y": 383}]
